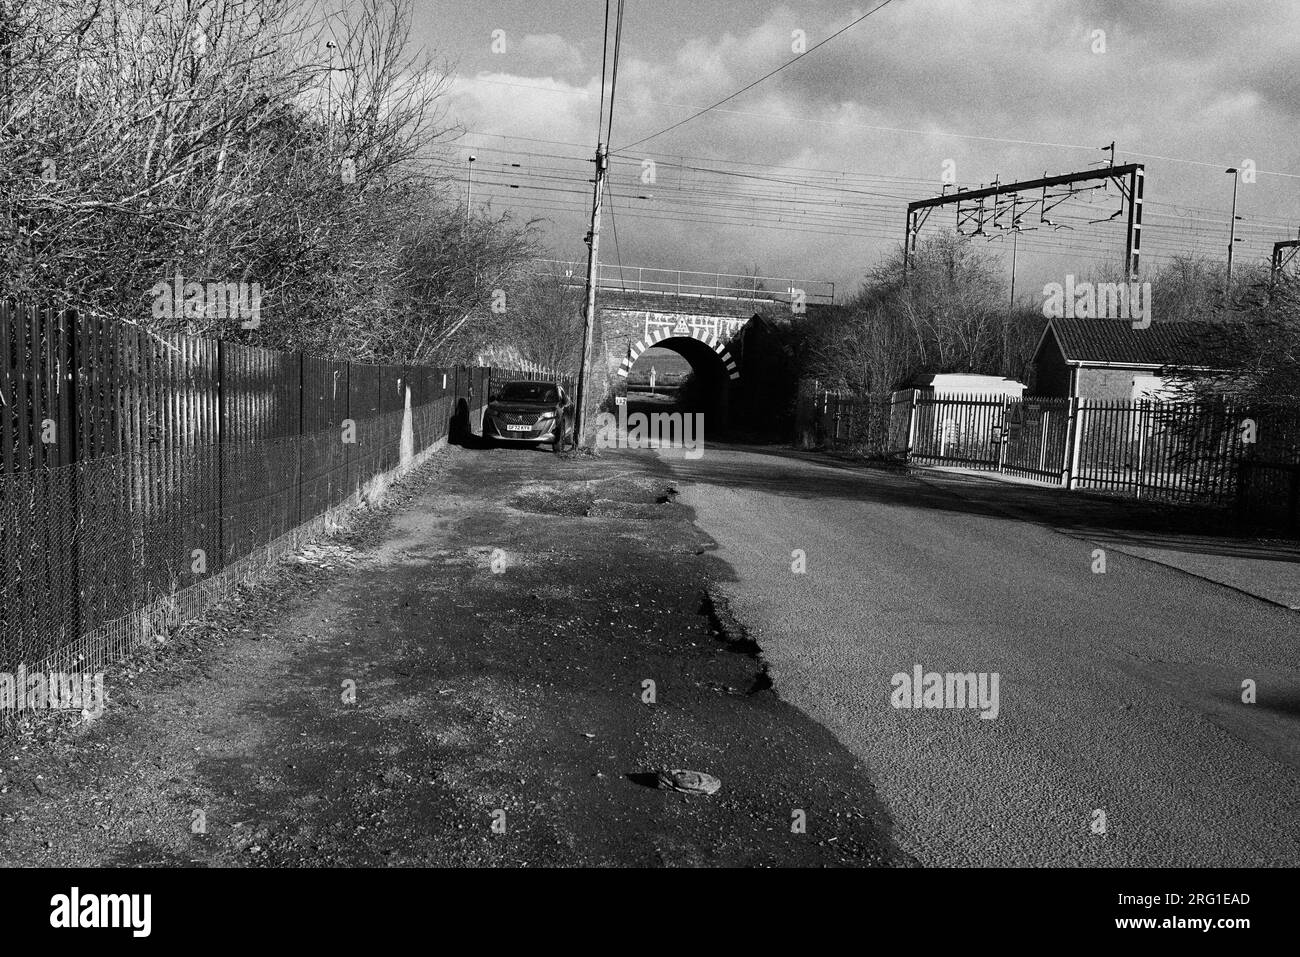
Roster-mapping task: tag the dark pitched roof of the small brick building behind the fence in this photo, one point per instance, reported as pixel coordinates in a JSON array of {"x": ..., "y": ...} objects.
[{"x": 1098, "y": 341}]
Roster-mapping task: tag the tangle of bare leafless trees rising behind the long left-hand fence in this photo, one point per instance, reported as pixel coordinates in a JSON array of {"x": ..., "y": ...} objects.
[{"x": 240, "y": 141}]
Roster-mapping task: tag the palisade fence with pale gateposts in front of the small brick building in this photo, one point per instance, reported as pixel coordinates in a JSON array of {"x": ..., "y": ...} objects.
[{"x": 1212, "y": 453}]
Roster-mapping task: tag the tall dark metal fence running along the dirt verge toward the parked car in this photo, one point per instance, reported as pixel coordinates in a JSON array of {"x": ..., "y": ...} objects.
[{"x": 141, "y": 475}]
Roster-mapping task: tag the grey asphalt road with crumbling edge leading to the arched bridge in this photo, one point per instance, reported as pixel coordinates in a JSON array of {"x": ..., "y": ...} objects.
[{"x": 1119, "y": 692}]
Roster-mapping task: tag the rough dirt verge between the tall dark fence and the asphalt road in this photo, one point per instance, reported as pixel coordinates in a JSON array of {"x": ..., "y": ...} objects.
[{"x": 500, "y": 618}]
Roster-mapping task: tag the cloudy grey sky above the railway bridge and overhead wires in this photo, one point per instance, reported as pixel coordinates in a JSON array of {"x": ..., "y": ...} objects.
[{"x": 808, "y": 175}]
